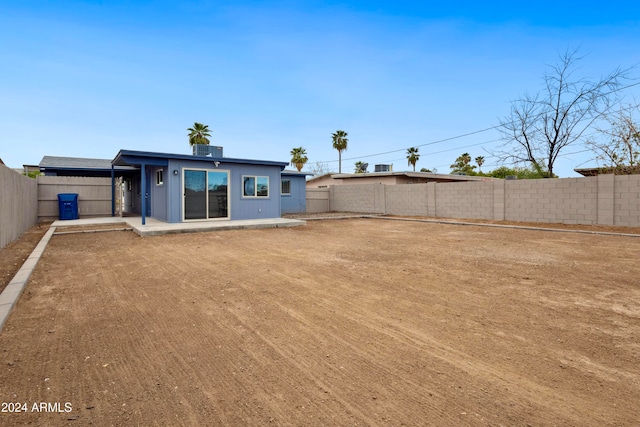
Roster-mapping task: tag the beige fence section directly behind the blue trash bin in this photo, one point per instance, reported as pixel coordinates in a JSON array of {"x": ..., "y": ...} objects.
[{"x": 94, "y": 195}]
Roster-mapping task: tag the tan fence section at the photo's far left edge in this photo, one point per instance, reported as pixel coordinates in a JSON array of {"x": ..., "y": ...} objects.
[{"x": 18, "y": 204}]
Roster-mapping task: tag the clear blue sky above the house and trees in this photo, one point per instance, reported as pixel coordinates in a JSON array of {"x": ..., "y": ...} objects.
[{"x": 88, "y": 78}]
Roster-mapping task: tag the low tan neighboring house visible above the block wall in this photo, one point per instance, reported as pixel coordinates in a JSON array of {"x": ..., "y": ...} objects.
[{"x": 390, "y": 178}]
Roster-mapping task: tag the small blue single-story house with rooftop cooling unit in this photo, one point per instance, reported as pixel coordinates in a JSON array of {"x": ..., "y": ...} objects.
[{"x": 207, "y": 186}]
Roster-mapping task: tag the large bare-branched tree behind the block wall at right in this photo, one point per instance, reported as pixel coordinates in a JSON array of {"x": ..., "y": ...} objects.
[{"x": 539, "y": 127}]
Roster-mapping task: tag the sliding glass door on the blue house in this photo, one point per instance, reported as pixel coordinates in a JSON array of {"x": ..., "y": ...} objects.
[{"x": 205, "y": 194}]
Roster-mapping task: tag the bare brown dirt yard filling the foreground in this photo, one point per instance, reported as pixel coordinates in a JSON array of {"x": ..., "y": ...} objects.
[{"x": 341, "y": 322}]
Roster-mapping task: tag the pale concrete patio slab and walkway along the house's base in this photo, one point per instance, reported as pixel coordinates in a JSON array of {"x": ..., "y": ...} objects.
[{"x": 154, "y": 227}]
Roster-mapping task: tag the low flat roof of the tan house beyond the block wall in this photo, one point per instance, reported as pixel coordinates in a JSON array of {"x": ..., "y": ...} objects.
[{"x": 406, "y": 176}]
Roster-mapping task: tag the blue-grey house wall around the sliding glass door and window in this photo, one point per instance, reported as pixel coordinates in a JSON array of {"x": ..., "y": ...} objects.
[{"x": 239, "y": 207}]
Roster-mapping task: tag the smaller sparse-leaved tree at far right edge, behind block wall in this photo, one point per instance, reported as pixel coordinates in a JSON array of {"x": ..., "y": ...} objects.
[{"x": 620, "y": 150}]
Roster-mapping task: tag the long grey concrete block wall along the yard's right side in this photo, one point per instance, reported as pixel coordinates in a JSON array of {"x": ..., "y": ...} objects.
[{"x": 603, "y": 199}]
